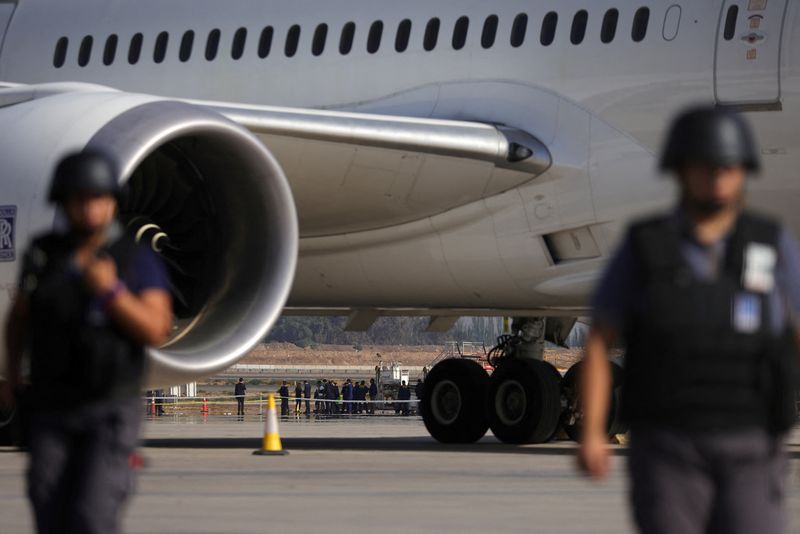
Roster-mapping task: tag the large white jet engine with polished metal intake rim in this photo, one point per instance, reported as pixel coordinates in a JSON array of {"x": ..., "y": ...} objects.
[{"x": 202, "y": 191}]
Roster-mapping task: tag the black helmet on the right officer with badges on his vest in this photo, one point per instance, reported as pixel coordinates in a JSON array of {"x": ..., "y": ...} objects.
[{"x": 713, "y": 136}]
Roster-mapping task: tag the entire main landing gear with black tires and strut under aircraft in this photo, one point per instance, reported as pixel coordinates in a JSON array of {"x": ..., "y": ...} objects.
[{"x": 524, "y": 401}]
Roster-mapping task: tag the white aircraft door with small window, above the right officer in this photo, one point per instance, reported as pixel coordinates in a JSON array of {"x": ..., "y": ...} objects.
[{"x": 747, "y": 66}]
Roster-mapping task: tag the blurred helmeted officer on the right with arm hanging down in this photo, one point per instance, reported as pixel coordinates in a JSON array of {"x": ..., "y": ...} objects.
[{"x": 704, "y": 299}]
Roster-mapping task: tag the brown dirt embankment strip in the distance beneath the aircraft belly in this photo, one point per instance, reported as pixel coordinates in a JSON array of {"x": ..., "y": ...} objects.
[{"x": 289, "y": 354}]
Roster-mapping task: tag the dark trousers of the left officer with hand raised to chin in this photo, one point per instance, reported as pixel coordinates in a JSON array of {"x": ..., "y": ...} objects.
[{"x": 79, "y": 474}]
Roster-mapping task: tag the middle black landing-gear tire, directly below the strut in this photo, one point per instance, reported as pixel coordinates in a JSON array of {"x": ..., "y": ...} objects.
[{"x": 524, "y": 401}]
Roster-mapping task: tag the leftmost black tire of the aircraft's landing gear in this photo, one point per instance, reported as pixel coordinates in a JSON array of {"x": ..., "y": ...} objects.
[{"x": 453, "y": 401}]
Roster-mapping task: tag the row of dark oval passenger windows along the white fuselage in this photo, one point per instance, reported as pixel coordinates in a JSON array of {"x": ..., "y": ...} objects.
[{"x": 488, "y": 36}]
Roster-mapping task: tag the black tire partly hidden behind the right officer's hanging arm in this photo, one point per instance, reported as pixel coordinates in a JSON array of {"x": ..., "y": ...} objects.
[{"x": 571, "y": 419}]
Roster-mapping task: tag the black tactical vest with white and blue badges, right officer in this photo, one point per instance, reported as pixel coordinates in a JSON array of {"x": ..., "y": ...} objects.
[{"x": 701, "y": 355}]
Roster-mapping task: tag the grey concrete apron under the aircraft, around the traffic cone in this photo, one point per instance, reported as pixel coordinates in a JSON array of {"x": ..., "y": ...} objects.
[{"x": 379, "y": 474}]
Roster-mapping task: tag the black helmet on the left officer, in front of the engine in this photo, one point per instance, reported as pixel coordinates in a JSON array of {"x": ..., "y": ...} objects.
[{"x": 88, "y": 171}]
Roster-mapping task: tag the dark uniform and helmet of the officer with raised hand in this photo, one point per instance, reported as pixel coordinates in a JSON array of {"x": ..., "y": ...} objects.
[{"x": 86, "y": 376}]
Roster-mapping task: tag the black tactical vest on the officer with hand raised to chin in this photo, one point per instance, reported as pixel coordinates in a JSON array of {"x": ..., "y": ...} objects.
[{"x": 78, "y": 354}]
